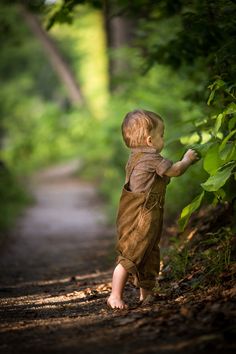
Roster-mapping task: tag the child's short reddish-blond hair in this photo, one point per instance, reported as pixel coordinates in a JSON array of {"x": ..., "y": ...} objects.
[{"x": 137, "y": 126}]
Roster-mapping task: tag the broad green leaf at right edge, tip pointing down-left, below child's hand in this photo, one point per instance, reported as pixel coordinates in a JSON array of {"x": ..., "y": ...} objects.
[{"x": 215, "y": 182}]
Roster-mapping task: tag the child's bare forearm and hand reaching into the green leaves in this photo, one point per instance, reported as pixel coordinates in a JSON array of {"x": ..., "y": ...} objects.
[{"x": 178, "y": 168}]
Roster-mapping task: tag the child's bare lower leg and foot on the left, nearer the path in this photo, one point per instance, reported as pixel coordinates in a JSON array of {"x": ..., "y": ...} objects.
[{"x": 119, "y": 279}]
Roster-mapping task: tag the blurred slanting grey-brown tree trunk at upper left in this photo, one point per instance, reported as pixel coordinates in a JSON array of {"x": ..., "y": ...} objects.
[{"x": 58, "y": 63}]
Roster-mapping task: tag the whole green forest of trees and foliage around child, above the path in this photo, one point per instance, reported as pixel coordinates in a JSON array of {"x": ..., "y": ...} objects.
[{"x": 174, "y": 58}]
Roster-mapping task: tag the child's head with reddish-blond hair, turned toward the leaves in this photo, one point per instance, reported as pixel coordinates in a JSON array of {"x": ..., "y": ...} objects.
[{"x": 143, "y": 128}]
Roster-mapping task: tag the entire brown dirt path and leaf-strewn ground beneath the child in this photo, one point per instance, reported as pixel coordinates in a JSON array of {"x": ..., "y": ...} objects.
[{"x": 56, "y": 268}]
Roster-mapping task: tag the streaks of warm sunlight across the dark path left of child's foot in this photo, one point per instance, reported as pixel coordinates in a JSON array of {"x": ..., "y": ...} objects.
[{"x": 53, "y": 300}]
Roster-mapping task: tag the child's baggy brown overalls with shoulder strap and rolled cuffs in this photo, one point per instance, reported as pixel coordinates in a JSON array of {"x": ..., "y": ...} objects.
[{"x": 139, "y": 227}]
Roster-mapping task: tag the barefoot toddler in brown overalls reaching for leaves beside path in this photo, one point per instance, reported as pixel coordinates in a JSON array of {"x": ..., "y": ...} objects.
[{"x": 140, "y": 213}]
